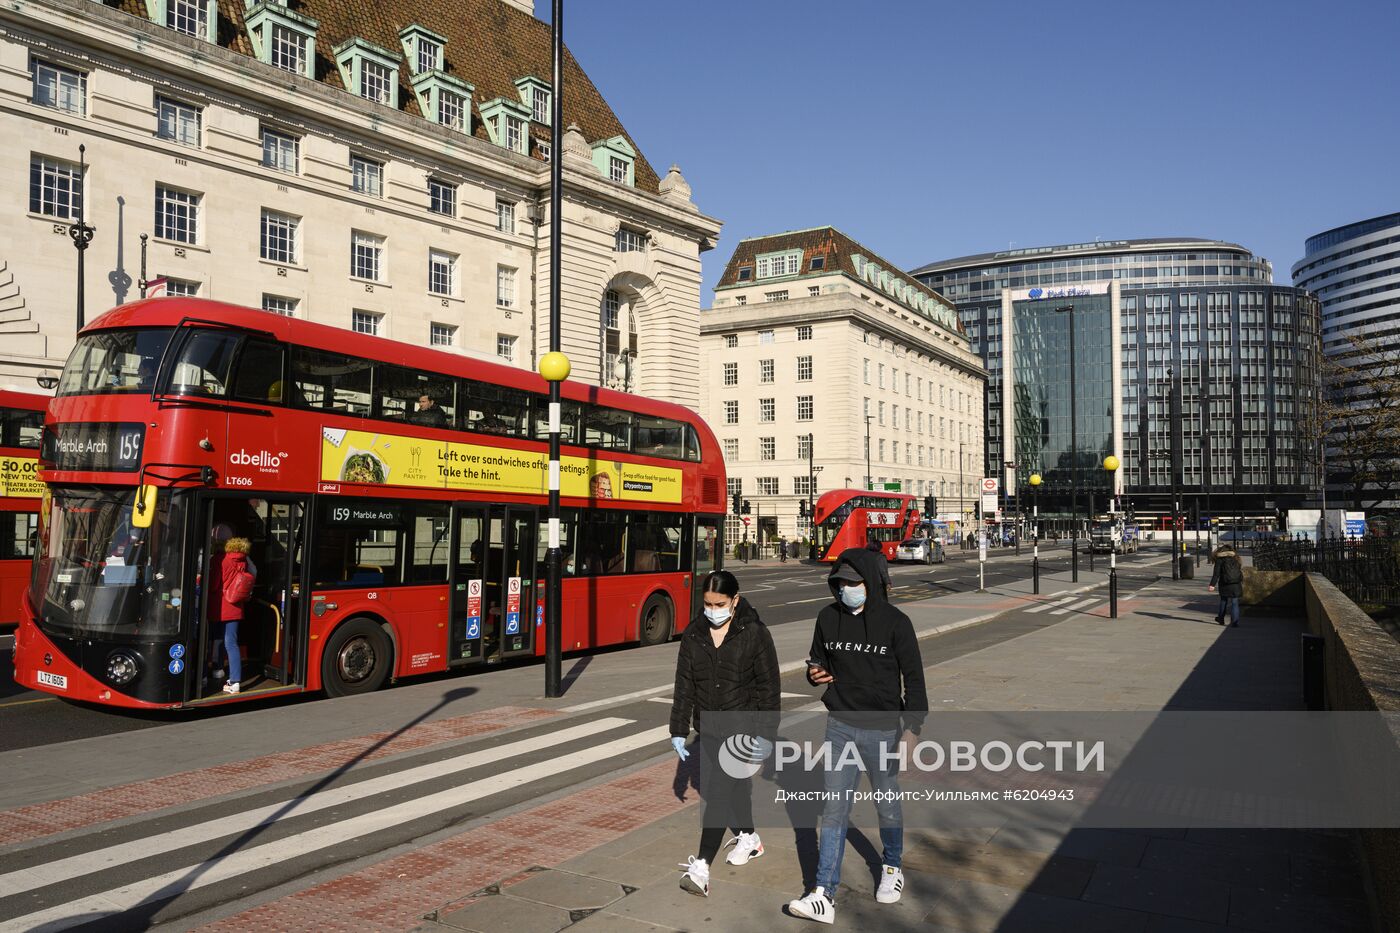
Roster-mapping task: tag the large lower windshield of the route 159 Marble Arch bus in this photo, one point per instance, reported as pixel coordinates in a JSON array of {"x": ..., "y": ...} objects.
[{"x": 97, "y": 574}]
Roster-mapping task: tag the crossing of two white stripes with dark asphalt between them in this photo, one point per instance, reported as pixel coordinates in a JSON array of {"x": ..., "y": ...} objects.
[{"x": 169, "y": 865}]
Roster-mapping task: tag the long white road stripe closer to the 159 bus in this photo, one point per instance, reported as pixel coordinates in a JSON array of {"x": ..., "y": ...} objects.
[{"x": 100, "y": 859}]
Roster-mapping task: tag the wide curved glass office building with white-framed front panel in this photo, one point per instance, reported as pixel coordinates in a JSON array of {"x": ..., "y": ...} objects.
[{"x": 1149, "y": 315}]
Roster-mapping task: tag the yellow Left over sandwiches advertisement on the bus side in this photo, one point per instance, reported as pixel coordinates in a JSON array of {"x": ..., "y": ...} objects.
[{"x": 394, "y": 460}]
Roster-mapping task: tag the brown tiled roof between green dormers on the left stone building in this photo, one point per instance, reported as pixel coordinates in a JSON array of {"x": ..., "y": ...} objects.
[{"x": 489, "y": 46}]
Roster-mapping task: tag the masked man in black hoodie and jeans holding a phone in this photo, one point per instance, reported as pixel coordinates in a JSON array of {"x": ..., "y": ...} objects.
[{"x": 863, "y": 651}]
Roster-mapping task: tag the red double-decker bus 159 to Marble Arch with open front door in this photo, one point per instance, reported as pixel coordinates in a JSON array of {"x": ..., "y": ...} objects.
[{"x": 393, "y": 497}]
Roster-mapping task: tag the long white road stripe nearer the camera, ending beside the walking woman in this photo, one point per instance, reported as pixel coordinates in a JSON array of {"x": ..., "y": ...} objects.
[{"x": 251, "y": 859}]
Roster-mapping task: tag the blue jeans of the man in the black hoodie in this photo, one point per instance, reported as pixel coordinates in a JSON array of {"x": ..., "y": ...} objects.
[{"x": 838, "y": 810}]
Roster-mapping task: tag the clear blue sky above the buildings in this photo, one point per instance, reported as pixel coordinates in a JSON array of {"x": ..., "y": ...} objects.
[{"x": 934, "y": 130}]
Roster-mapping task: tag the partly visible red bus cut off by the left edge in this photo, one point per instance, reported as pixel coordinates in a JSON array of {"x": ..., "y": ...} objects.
[{"x": 22, "y": 420}]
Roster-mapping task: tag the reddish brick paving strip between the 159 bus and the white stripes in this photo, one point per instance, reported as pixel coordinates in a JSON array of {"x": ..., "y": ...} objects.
[{"x": 146, "y": 796}]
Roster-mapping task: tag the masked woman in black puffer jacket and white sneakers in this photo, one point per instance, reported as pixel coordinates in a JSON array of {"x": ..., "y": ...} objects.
[{"x": 729, "y": 666}]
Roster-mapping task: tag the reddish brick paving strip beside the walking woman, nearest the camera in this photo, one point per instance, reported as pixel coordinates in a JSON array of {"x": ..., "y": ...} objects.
[{"x": 397, "y": 893}]
